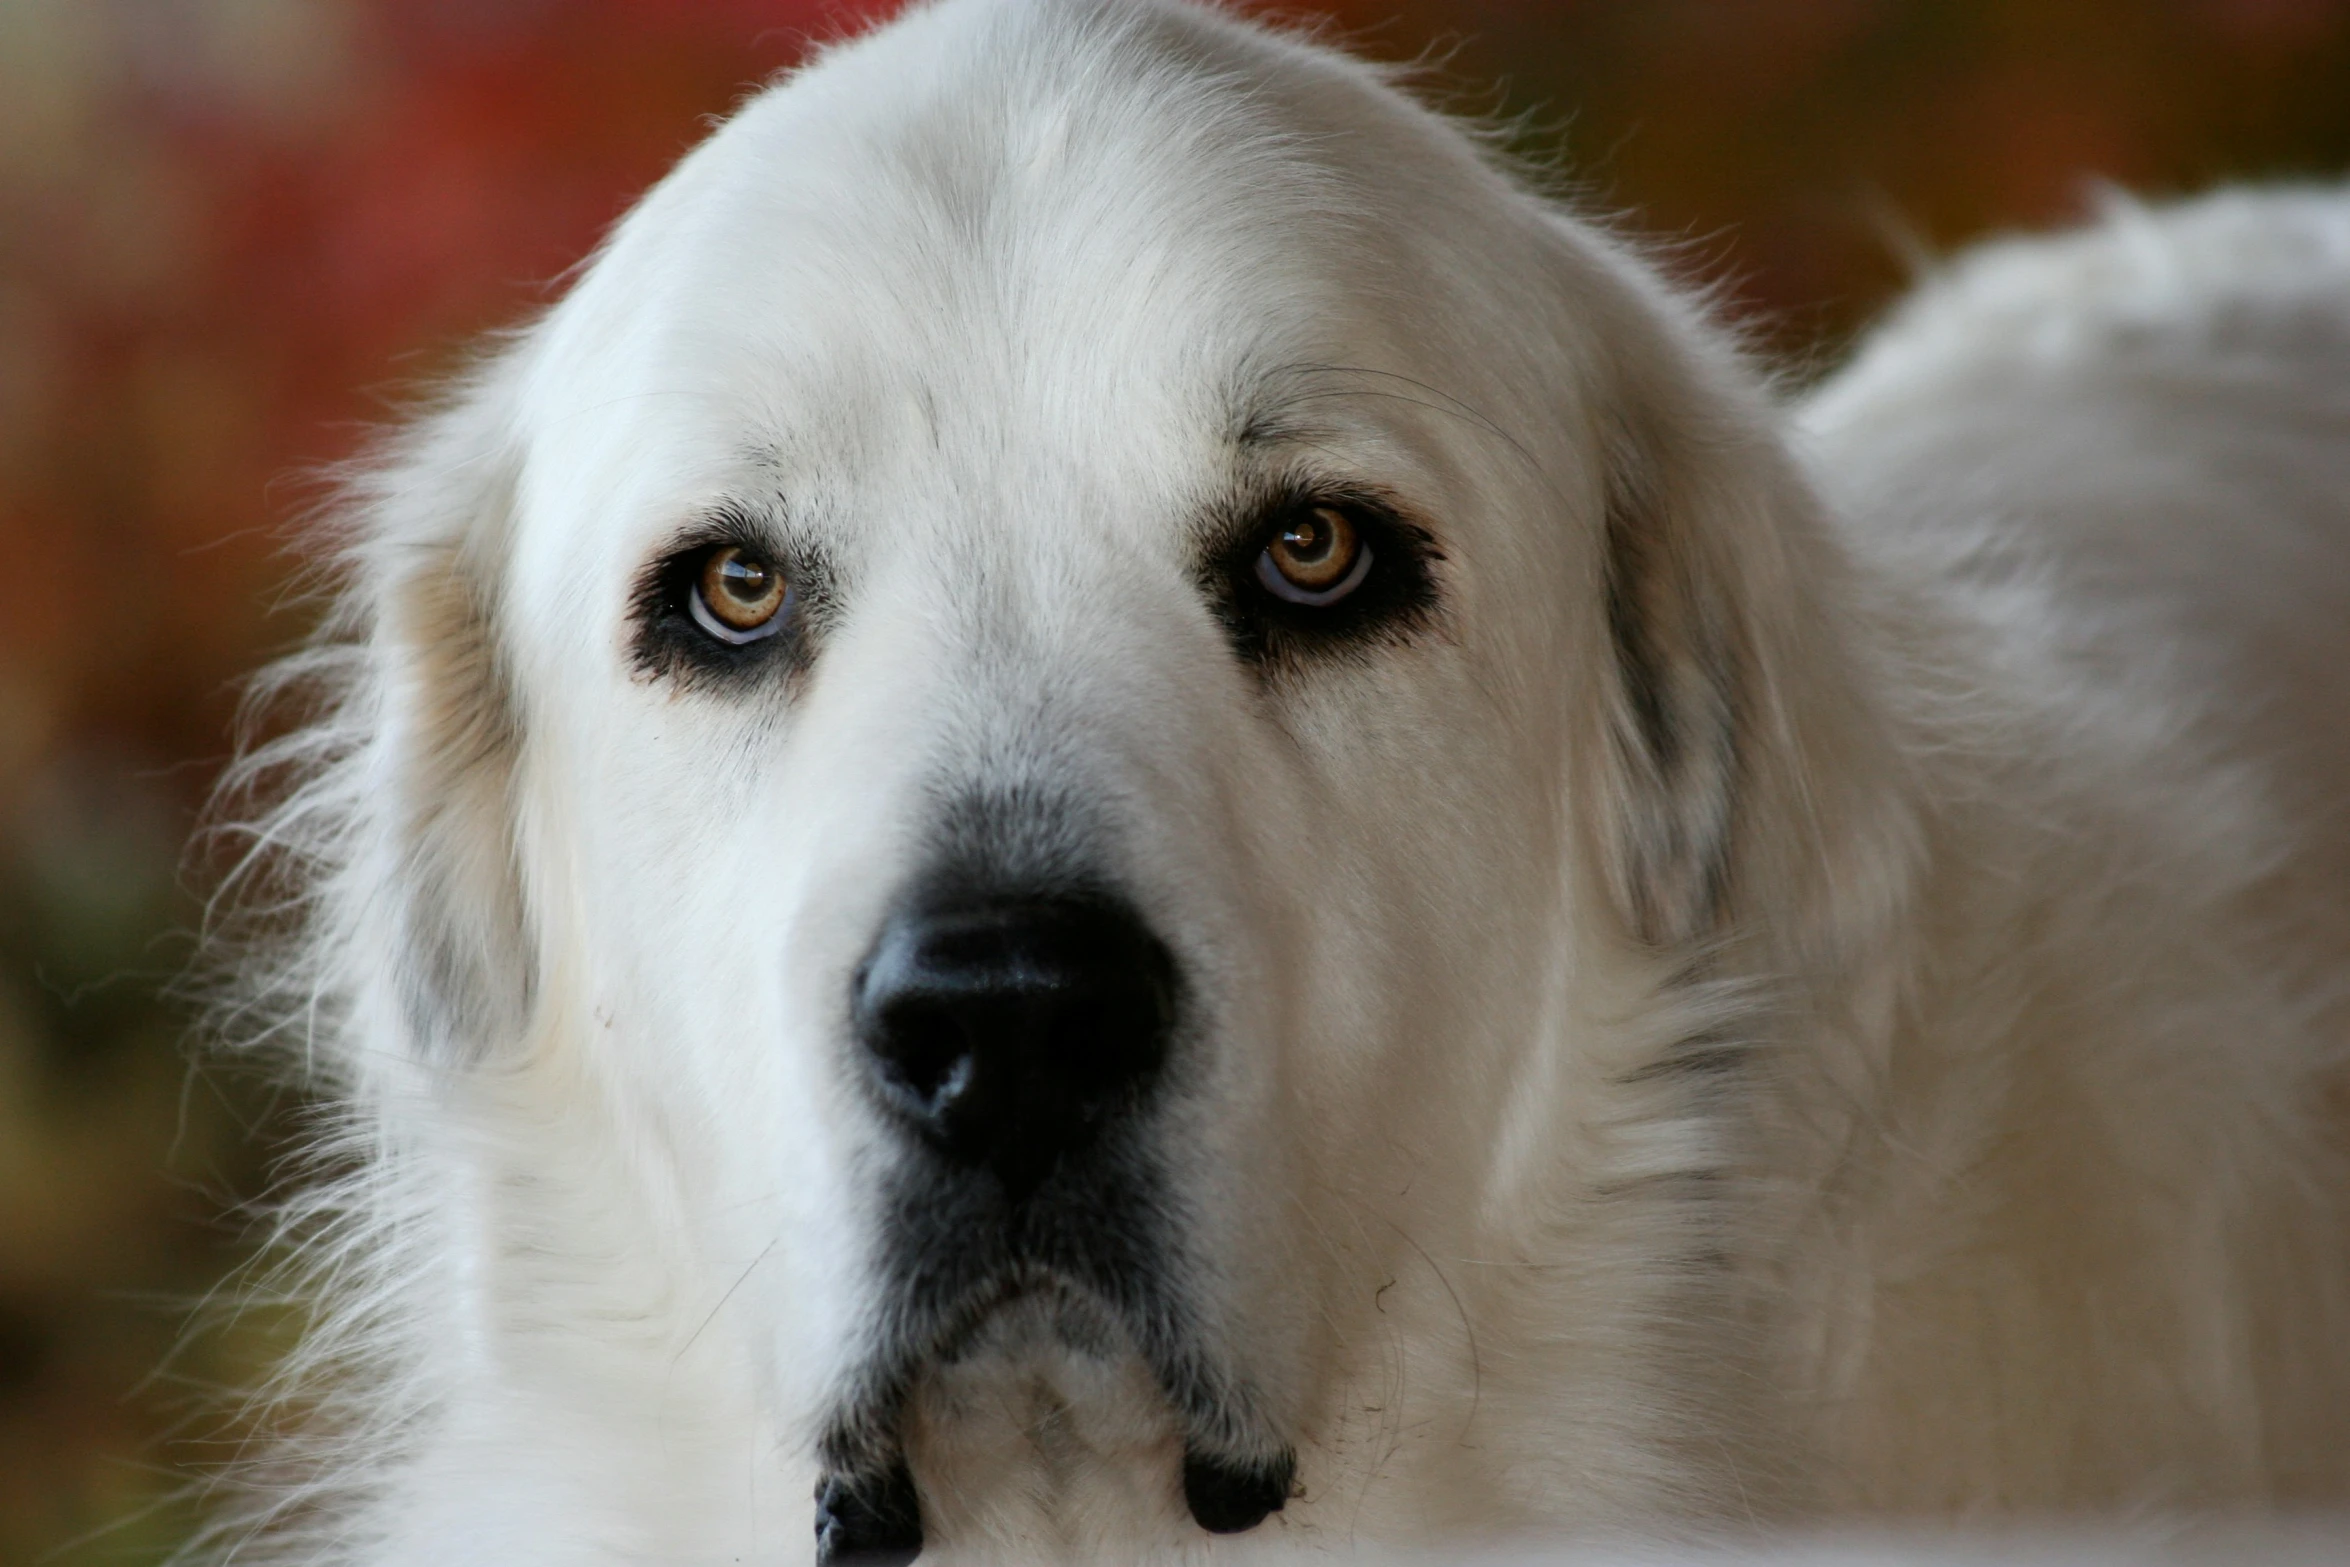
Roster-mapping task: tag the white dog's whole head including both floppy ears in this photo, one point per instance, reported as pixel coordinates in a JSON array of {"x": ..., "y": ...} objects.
[{"x": 1075, "y": 685}]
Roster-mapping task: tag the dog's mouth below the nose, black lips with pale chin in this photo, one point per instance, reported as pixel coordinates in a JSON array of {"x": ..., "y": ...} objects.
[{"x": 1042, "y": 1383}]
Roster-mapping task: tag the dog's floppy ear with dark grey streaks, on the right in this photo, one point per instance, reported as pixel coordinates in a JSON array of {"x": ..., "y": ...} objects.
[{"x": 1743, "y": 767}]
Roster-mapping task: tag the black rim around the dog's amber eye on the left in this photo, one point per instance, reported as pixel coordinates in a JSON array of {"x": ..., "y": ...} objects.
[{"x": 678, "y": 638}]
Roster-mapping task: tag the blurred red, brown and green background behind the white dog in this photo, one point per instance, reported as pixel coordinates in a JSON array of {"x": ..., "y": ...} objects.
[{"x": 236, "y": 231}]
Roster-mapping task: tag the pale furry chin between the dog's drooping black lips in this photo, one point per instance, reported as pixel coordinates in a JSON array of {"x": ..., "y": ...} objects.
[{"x": 1047, "y": 1427}]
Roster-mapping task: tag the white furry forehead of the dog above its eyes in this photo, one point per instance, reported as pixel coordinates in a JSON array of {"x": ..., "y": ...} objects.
[{"x": 901, "y": 264}]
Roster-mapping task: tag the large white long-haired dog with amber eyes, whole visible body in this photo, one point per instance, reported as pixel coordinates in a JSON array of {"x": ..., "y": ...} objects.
[{"x": 1115, "y": 805}]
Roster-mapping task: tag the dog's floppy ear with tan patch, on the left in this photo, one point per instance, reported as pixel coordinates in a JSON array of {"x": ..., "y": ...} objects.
[{"x": 438, "y": 859}]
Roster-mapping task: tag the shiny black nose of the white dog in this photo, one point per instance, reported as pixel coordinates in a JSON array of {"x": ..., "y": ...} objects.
[{"x": 1009, "y": 1030}]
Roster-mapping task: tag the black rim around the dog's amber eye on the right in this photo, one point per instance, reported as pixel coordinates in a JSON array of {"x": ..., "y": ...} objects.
[{"x": 1390, "y": 598}]
